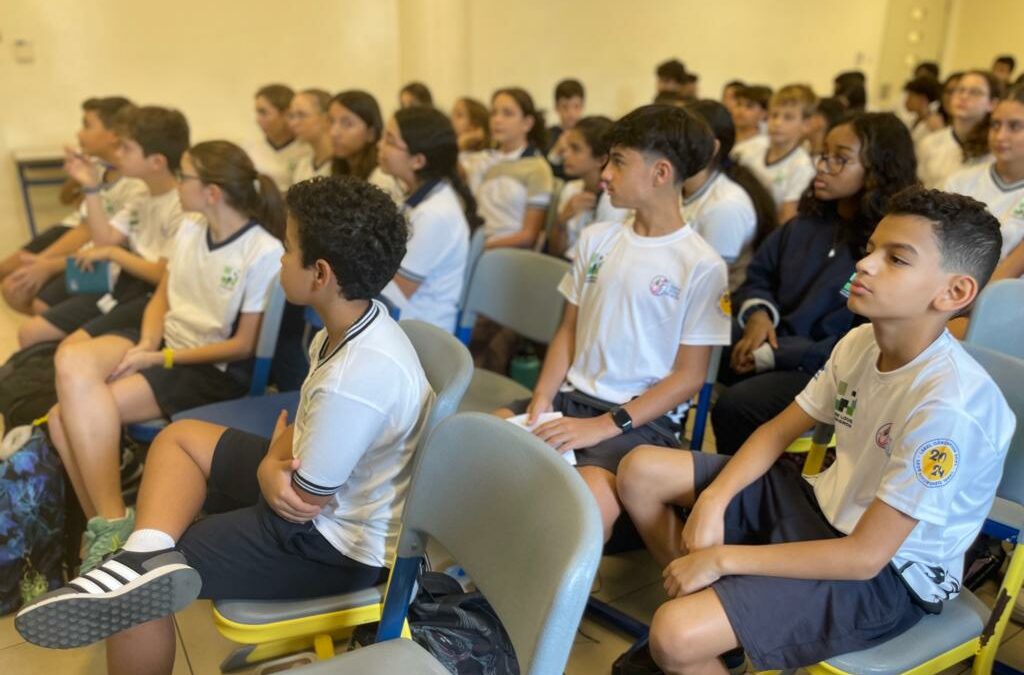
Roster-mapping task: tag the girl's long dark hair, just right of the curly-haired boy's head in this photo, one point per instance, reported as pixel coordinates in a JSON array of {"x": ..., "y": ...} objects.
[{"x": 428, "y": 132}]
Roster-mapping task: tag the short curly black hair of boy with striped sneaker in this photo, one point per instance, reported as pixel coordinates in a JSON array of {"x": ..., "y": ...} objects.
[{"x": 355, "y": 227}]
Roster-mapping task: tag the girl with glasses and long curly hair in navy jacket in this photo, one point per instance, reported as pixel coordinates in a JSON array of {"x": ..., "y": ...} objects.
[{"x": 792, "y": 310}]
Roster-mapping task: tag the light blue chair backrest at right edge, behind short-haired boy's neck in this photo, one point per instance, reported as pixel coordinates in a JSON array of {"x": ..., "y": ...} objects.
[{"x": 998, "y": 318}]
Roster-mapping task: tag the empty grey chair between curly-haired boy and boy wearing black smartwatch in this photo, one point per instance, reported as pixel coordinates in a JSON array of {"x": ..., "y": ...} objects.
[{"x": 520, "y": 290}]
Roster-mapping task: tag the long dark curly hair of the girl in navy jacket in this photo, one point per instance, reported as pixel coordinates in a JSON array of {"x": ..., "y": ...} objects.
[{"x": 890, "y": 165}]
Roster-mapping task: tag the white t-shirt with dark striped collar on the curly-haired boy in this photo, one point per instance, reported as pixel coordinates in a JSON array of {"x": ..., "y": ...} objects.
[{"x": 362, "y": 411}]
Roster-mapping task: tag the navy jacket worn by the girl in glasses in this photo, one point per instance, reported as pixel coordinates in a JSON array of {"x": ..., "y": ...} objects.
[{"x": 801, "y": 272}]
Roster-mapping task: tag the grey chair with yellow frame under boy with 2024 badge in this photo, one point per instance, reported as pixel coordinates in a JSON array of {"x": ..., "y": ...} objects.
[{"x": 967, "y": 628}]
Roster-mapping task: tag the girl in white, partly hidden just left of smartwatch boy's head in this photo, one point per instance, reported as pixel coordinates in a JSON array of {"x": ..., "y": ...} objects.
[{"x": 583, "y": 201}]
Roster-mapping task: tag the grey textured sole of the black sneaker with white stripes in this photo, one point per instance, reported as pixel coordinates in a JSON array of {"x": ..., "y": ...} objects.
[{"x": 75, "y": 620}]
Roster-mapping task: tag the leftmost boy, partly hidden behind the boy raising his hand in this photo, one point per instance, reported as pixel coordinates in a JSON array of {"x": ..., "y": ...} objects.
[{"x": 26, "y": 274}]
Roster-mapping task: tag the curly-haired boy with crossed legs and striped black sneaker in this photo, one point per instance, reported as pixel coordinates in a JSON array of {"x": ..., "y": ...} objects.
[{"x": 313, "y": 512}]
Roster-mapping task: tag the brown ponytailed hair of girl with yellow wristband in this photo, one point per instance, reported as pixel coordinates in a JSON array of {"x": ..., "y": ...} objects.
[{"x": 224, "y": 164}]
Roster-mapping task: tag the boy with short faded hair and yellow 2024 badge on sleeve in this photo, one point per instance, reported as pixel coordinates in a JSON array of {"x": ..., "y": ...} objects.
[{"x": 878, "y": 539}]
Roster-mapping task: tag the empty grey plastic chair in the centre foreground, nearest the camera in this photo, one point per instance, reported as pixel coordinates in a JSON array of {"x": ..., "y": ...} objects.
[{"x": 502, "y": 503}]
